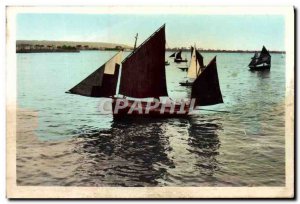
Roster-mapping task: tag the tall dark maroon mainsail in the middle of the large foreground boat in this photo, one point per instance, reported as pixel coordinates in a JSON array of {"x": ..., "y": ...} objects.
[{"x": 143, "y": 72}]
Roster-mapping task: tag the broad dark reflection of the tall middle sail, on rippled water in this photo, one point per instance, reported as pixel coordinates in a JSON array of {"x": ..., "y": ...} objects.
[{"x": 127, "y": 155}]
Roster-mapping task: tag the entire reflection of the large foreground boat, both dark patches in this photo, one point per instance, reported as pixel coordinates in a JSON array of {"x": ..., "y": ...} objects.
[{"x": 139, "y": 153}]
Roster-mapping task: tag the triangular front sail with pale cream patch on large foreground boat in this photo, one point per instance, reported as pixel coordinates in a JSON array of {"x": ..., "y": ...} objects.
[{"x": 102, "y": 82}]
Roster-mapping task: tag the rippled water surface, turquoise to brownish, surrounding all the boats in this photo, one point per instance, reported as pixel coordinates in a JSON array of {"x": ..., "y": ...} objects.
[{"x": 62, "y": 139}]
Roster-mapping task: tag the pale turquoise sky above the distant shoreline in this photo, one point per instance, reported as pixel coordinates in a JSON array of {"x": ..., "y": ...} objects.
[{"x": 244, "y": 32}]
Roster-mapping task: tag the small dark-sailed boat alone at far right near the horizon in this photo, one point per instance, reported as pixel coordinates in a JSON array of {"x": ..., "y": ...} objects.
[{"x": 262, "y": 61}]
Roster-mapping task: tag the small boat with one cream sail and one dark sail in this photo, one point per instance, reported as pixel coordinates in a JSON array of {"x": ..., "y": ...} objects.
[{"x": 195, "y": 68}]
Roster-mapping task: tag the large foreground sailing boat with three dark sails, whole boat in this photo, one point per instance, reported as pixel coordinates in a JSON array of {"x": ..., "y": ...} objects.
[{"x": 137, "y": 85}]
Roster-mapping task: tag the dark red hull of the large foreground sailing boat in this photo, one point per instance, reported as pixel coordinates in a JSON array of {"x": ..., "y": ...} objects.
[{"x": 153, "y": 112}]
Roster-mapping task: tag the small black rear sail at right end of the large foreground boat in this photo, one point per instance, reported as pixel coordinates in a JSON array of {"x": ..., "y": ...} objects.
[{"x": 206, "y": 88}]
